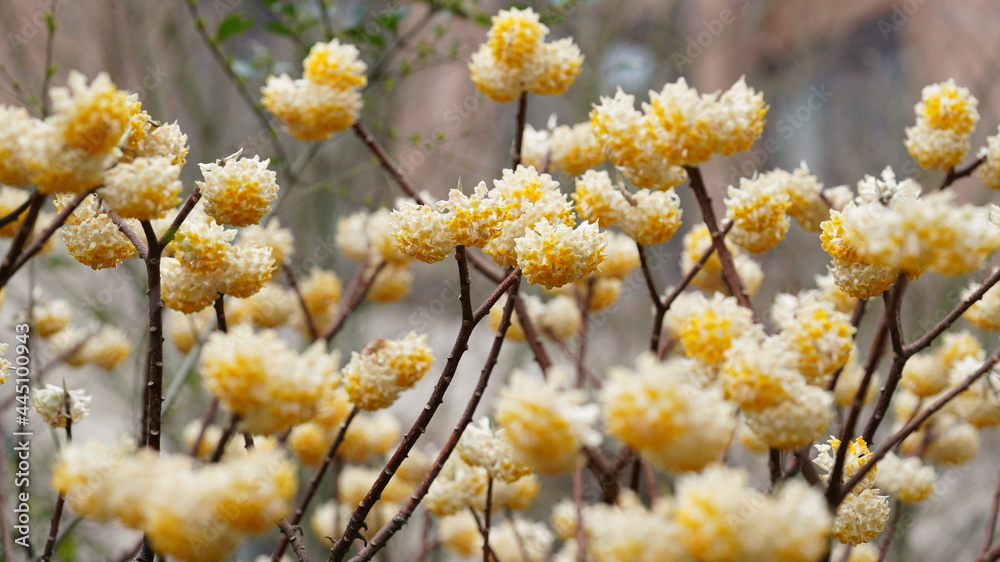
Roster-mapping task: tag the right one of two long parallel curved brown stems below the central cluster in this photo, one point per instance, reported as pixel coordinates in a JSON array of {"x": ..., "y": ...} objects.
[{"x": 385, "y": 533}]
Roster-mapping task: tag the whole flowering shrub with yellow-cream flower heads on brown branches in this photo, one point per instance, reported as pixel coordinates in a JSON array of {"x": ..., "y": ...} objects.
[{"x": 660, "y": 457}]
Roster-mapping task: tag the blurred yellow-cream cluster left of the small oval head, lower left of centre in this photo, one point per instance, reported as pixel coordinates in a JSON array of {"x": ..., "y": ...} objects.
[{"x": 259, "y": 377}]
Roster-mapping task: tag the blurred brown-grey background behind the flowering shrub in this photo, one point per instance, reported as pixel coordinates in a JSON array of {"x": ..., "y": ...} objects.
[{"x": 841, "y": 79}]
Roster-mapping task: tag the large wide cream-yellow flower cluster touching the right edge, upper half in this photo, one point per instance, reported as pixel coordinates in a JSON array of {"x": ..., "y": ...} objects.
[{"x": 892, "y": 230}]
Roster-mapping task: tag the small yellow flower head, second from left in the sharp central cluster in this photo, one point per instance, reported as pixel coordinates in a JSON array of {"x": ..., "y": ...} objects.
[{"x": 471, "y": 221}]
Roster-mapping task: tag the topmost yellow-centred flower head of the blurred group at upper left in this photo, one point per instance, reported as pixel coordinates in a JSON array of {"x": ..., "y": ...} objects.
[{"x": 92, "y": 118}]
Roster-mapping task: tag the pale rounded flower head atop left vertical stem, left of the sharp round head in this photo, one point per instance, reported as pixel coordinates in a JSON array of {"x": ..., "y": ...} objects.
[{"x": 143, "y": 189}]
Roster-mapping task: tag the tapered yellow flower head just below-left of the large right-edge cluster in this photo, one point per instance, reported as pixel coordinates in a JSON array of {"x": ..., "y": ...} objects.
[{"x": 821, "y": 336}]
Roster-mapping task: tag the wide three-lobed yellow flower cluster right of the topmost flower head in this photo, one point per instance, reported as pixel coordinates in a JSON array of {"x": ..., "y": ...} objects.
[{"x": 678, "y": 127}]
